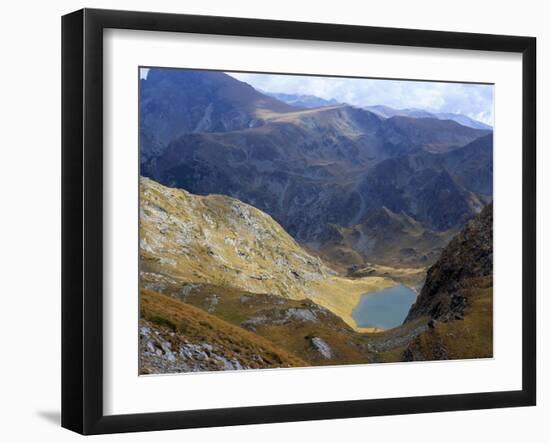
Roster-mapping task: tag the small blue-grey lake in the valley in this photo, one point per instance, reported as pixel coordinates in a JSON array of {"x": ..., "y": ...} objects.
[{"x": 384, "y": 309}]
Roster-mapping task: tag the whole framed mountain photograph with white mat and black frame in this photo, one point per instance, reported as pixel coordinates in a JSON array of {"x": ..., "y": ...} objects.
[{"x": 270, "y": 221}]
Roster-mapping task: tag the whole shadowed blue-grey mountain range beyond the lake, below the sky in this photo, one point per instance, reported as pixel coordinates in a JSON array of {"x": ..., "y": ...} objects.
[{"x": 346, "y": 182}]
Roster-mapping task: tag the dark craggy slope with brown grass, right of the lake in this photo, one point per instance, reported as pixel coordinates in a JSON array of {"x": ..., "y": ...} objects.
[{"x": 457, "y": 297}]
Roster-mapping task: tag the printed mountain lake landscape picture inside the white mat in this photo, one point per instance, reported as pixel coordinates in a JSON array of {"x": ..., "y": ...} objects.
[{"x": 302, "y": 220}]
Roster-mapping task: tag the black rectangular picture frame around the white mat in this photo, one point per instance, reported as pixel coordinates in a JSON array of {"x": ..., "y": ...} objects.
[{"x": 82, "y": 218}]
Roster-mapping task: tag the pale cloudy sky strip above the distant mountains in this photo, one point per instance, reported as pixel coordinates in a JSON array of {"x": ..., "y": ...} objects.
[{"x": 473, "y": 100}]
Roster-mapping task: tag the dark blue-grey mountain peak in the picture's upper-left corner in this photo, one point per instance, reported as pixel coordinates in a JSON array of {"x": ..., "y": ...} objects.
[{"x": 174, "y": 102}]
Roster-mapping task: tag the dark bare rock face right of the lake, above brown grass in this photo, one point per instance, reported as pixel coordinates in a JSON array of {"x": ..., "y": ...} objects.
[{"x": 468, "y": 256}]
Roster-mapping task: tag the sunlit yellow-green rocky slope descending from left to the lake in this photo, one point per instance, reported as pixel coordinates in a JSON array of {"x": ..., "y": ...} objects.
[{"x": 221, "y": 241}]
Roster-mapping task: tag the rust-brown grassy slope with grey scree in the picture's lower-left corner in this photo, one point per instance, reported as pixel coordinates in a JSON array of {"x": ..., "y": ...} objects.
[{"x": 177, "y": 337}]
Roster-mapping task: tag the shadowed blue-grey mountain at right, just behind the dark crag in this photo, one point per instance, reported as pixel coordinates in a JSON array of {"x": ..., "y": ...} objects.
[{"x": 441, "y": 191}]
